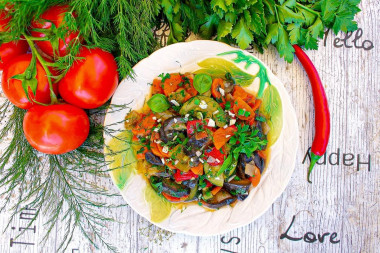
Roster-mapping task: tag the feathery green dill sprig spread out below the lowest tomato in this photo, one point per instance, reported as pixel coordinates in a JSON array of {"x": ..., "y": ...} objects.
[{"x": 58, "y": 186}]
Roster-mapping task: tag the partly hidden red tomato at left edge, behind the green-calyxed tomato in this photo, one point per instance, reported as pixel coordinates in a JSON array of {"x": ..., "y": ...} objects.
[{"x": 10, "y": 50}]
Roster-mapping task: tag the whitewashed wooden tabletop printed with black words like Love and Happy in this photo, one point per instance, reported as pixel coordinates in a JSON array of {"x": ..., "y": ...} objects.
[{"x": 343, "y": 198}]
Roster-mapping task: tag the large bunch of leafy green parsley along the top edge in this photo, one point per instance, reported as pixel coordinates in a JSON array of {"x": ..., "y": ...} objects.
[{"x": 259, "y": 23}]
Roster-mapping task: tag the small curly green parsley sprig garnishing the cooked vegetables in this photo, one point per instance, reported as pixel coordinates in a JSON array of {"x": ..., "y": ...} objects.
[{"x": 247, "y": 141}]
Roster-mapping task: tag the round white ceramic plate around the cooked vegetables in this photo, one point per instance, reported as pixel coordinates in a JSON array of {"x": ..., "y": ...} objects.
[{"x": 196, "y": 220}]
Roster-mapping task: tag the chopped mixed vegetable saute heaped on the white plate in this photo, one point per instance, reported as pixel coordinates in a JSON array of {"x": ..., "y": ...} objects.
[{"x": 200, "y": 139}]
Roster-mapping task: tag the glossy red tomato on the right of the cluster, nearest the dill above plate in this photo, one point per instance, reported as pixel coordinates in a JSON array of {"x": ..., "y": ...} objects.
[{"x": 90, "y": 82}]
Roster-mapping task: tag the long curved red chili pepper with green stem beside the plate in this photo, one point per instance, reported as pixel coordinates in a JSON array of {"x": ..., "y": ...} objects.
[{"x": 322, "y": 113}]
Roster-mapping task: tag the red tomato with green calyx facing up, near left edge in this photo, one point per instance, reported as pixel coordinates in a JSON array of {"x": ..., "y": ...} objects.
[{"x": 13, "y": 89}]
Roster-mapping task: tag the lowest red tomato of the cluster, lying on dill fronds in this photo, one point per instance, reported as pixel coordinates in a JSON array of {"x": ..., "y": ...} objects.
[{"x": 56, "y": 129}]
